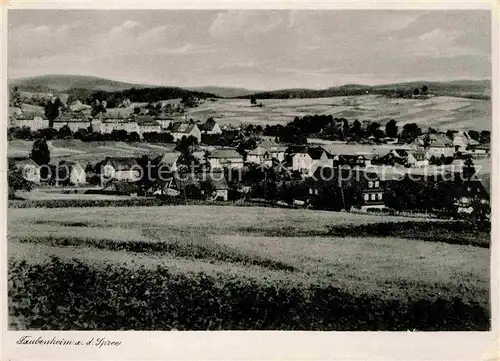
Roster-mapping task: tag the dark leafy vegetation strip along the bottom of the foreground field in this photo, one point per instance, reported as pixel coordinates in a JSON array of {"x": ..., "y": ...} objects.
[{"x": 73, "y": 295}]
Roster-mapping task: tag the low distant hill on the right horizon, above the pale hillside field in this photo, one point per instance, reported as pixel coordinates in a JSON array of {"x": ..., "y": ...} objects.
[{"x": 477, "y": 89}]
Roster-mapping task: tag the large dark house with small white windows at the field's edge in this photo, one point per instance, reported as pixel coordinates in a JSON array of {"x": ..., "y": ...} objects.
[{"x": 358, "y": 187}]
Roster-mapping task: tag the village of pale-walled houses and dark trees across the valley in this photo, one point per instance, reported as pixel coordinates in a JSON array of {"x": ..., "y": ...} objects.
[{"x": 217, "y": 162}]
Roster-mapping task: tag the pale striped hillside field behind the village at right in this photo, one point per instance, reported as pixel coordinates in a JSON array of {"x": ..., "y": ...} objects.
[{"x": 439, "y": 112}]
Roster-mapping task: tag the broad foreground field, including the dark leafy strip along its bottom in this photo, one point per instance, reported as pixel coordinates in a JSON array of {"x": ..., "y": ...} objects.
[{"x": 319, "y": 268}]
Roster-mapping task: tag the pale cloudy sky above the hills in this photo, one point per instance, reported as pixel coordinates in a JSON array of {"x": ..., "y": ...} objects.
[{"x": 253, "y": 49}]
